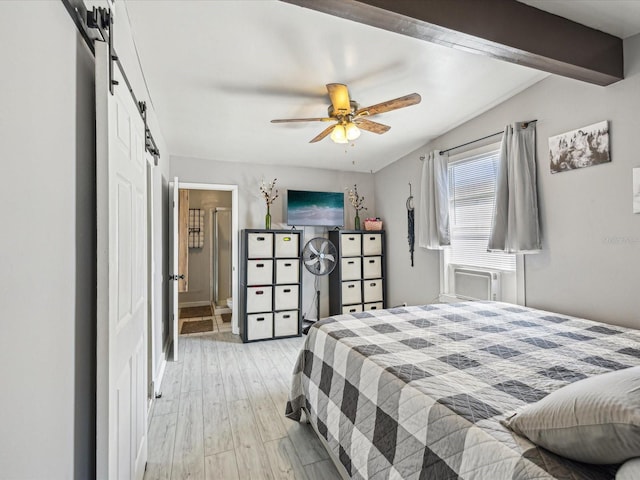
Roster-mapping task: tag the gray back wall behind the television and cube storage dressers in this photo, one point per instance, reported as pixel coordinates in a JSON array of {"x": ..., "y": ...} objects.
[{"x": 252, "y": 208}]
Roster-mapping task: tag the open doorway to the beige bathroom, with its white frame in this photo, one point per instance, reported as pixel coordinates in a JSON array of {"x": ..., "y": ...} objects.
[{"x": 205, "y": 237}]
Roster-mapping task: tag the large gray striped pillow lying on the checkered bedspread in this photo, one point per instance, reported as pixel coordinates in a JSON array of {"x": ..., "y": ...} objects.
[{"x": 595, "y": 420}]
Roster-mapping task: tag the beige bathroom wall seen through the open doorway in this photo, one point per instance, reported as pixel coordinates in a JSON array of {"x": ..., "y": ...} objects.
[{"x": 200, "y": 261}]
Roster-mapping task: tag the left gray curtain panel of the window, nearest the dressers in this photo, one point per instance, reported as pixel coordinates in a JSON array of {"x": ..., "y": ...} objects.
[{"x": 433, "y": 214}]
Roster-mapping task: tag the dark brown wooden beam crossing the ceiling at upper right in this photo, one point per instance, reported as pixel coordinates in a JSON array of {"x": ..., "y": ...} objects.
[{"x": 504, "y": 29}]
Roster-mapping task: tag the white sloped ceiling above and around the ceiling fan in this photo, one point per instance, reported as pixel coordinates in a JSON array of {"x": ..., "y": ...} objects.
[{"x": 218, "y": 71}]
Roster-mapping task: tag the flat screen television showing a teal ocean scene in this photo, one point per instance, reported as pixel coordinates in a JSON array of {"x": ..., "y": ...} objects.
[{"x": 320, "y": 209}]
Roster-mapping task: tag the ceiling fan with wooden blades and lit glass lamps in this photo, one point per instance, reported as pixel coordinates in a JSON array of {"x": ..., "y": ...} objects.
[{"x": 350, "y": 118}]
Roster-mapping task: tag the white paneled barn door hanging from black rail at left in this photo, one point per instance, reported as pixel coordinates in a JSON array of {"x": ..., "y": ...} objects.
[{"x": 122, "y": 280}]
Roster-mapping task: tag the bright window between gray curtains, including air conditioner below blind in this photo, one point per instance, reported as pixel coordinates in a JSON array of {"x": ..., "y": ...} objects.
[{"x": 472, "y": 191}]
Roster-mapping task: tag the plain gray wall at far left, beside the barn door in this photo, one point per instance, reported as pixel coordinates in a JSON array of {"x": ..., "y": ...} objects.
[{"x": 48, "y": 240}]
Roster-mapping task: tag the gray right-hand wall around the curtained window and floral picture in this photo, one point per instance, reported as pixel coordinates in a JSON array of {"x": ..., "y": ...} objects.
[{"x": 590, "y": 265}]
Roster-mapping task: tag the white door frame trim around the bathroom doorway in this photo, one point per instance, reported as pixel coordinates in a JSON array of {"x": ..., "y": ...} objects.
[{"x": 235, "y": 329}]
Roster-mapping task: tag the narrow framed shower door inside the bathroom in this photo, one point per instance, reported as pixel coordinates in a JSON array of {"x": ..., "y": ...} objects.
[{"x": 222, "y": 256}]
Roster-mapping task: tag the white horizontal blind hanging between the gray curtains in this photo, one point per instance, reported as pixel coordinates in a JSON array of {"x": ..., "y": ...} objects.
[{"x": 472, "y": 192}]
